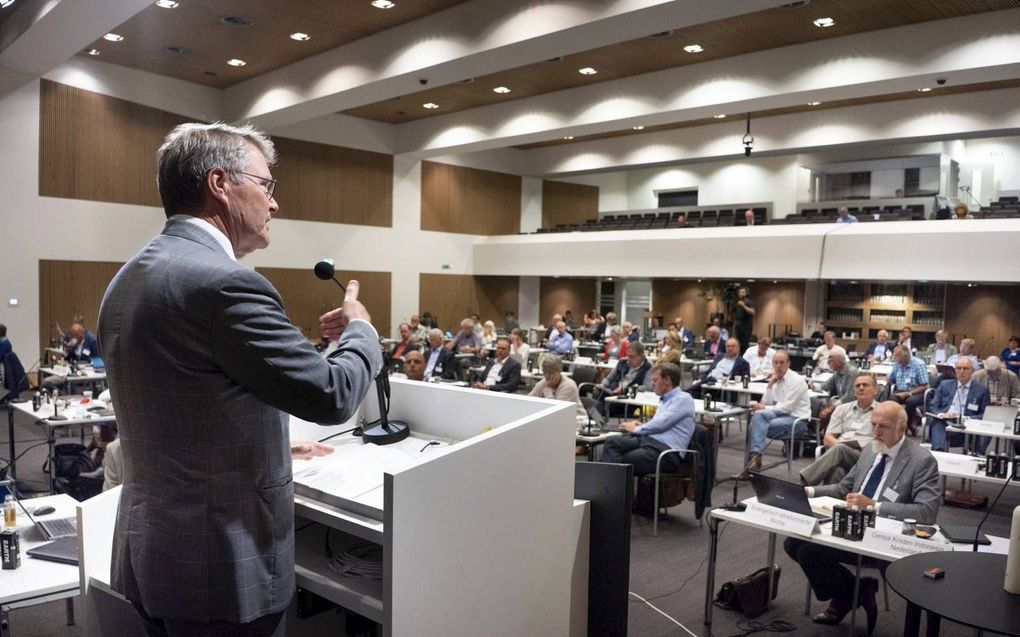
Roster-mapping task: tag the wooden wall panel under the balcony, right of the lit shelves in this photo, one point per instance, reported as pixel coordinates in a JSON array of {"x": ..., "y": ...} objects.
[{"x": 989, "y": 314}]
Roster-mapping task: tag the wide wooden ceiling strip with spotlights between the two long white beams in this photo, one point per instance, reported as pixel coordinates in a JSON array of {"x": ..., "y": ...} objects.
[{"x": 736, "y": 36}]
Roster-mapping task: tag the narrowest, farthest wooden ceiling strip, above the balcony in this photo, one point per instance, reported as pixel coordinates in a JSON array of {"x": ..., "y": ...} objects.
[{"x": 741, "y": 118}]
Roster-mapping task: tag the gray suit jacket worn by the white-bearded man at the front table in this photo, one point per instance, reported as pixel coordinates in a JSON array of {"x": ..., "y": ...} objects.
[{"x": 914, "y": 477}]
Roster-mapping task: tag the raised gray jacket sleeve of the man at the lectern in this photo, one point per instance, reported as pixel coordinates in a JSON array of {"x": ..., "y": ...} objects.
[{"x": 263, "y": 352}]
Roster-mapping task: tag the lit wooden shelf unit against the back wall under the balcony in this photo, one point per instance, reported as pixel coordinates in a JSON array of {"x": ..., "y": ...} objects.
[{"x": 866, "y": 308}]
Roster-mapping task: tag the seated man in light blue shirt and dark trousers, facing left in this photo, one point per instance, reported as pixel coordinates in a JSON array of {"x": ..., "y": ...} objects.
[{"x": 671, "y": 429}]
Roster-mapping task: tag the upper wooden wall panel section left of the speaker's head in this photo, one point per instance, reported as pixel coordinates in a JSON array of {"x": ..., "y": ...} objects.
[{"x": 99, "y": 148}]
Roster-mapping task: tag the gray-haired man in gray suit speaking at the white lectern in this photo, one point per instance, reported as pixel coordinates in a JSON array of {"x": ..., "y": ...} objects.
[{"x": 205, "y": 366}]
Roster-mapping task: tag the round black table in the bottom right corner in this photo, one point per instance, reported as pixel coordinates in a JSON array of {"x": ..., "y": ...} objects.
[{"x": 972, "y": 594}]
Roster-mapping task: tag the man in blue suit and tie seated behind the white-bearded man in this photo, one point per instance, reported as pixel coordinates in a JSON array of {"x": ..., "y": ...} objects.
[{"x": 953, "y": 399}]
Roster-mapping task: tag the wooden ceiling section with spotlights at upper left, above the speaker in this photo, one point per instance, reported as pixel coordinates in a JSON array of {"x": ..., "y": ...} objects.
[{"x": 266, "y": 45}]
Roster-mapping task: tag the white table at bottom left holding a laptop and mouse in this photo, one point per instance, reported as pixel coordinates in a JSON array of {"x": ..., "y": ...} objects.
[{"x": 39, "y": 581}]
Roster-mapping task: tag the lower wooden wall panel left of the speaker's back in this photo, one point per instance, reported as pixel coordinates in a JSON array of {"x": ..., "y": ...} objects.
[{"x": 68, "y": 289}]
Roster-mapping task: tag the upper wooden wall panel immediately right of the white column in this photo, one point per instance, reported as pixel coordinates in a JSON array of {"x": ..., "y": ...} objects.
[{"x": 470, "y": 201}]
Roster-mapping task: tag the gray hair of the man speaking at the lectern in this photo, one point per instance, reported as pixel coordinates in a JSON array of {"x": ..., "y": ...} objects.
[{"x": 192, "y": 150}]
